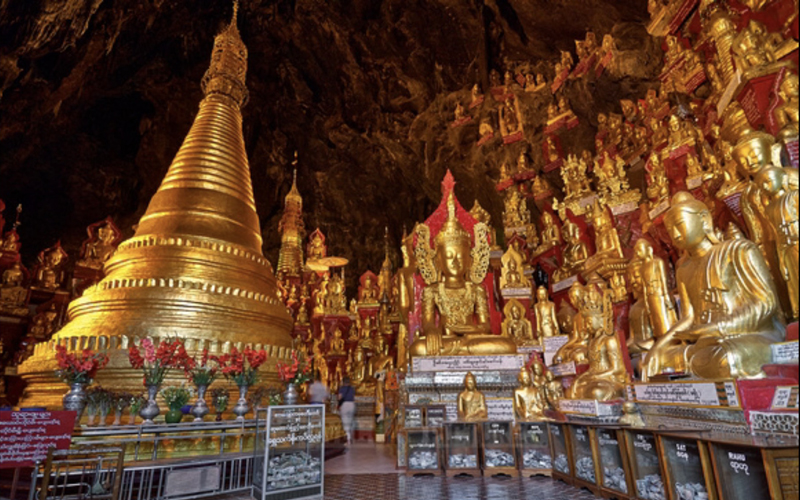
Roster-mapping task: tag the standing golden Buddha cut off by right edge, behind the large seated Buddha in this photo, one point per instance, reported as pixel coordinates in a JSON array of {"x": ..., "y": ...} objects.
[{"x": 782, "y": 208}]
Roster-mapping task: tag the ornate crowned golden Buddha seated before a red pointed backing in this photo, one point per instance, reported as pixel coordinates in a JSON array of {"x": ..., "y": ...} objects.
[{"x": 454, "y": 276}]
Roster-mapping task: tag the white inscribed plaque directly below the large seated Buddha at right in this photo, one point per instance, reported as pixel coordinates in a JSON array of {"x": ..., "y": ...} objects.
[{"x": 688, "y": 393}]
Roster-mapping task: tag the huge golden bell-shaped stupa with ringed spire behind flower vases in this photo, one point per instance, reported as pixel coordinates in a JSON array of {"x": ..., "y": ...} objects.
[{"x": 194, "y": 269}]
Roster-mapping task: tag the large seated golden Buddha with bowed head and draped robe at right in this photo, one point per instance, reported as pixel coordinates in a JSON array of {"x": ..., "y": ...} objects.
[{"x": 730, "y": 312}]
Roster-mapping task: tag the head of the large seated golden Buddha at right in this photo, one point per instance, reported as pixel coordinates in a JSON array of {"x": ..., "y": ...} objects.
[{"x": 689, "y": 222}]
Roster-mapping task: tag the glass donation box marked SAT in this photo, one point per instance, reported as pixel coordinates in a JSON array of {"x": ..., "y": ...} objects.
[{"x": 688, "y": 471}]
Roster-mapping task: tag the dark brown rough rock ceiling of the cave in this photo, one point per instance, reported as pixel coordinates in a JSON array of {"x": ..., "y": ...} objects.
[{"x": 96, "y": 97}]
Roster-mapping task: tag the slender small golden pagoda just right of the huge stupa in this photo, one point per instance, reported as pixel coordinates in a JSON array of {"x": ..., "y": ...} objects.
[{"x": 292, "y": 229}]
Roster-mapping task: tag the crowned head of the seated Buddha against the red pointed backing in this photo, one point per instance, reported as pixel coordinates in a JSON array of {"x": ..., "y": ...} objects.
[{"x": 452, "y": 252}]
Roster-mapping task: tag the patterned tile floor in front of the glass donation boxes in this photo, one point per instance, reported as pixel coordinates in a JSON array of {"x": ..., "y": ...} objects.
[{"x": 400, "y": 487}]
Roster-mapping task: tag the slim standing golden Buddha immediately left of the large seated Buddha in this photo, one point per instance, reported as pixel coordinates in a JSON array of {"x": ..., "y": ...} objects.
[{"x": 660, "y": 306}]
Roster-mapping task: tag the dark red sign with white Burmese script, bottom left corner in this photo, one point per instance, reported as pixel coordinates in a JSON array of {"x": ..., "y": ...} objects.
[{"x": 25, "y": 436}]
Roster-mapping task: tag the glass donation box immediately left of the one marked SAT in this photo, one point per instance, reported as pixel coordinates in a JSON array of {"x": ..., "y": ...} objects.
[{"x": 642, "y": 449}]
